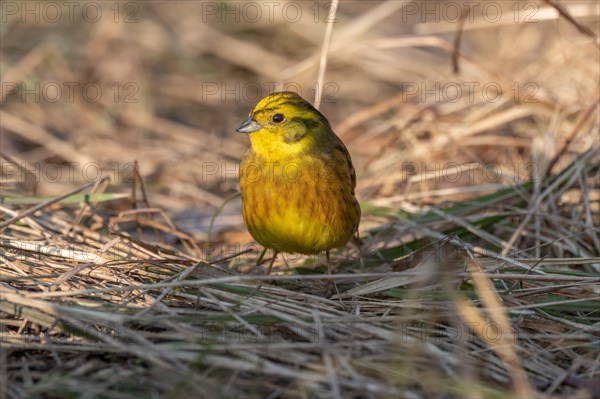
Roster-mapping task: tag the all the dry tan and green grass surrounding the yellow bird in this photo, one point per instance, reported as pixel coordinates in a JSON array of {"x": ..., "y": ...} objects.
[{"x": 479, "y": 269}]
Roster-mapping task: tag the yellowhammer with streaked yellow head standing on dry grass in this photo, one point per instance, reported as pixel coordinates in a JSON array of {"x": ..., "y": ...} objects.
[{"x": 297, "y": 179}]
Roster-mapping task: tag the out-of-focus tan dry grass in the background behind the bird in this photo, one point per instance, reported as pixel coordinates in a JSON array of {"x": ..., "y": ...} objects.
[{"x": 436, "y": 101}]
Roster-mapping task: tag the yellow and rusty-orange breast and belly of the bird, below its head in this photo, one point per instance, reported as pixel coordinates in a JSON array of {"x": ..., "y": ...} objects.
[{"x": 301, "y": 205}]
